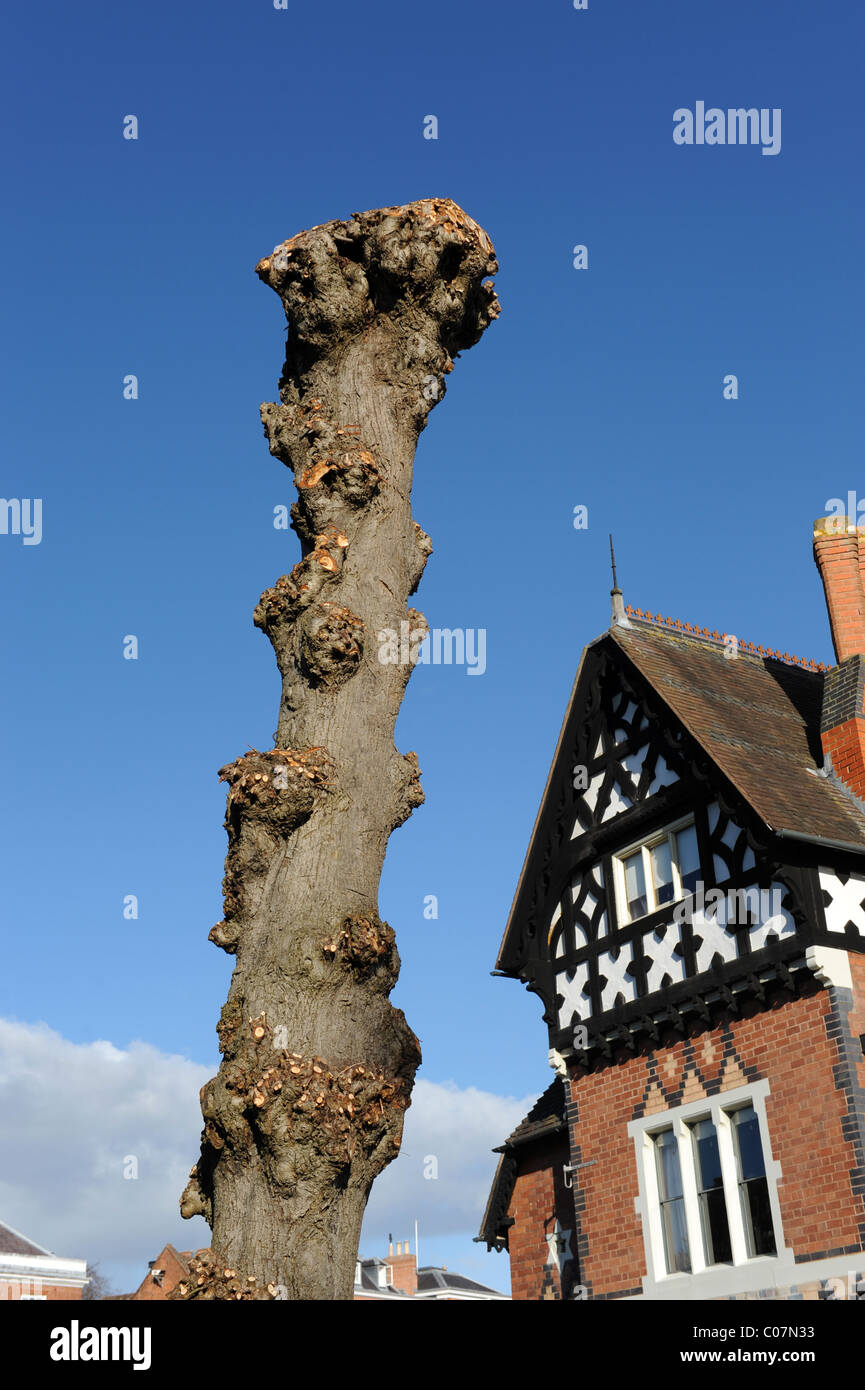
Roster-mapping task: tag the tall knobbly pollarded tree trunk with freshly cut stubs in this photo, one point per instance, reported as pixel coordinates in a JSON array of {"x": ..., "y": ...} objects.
[{"x": 318, "y": 1067}]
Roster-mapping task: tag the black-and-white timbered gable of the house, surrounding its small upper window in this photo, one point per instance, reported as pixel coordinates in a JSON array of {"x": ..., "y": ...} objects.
[{"x": 625, "y": 769}]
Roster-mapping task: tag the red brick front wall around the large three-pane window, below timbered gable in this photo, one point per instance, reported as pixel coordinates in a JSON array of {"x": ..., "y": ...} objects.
[{"x": 788, "y": 1046}]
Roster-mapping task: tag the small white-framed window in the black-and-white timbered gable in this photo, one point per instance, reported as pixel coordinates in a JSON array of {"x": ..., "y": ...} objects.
[{"x": 657, "y": 871}]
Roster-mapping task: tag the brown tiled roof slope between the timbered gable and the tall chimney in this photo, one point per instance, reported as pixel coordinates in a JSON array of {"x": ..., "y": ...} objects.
[{"x": 759, "y": 719}]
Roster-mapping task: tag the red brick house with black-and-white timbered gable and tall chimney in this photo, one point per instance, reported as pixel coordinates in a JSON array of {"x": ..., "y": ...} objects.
[{"x": 692, "y": 917}]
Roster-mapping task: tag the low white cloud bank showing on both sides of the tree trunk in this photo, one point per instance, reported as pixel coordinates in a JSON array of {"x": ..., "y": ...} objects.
[{"x": 73, "y": 1113}]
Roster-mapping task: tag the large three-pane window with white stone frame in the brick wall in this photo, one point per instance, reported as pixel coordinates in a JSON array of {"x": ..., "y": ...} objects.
[{"x": 709, "y": 1196}]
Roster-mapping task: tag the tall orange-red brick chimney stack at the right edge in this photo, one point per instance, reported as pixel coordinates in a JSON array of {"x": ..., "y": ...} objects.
[{"x": 839, "y": 551}]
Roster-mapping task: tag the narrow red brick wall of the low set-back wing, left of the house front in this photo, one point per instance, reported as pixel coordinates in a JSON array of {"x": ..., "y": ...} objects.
[{"x": 539, "y": 1197}]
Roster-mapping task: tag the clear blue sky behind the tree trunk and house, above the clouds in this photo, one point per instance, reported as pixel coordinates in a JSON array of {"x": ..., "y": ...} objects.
[{"x": 599, "y": 387}]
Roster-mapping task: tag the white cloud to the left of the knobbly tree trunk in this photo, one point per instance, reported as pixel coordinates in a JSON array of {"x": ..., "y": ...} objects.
[{"x": 72, "y": 1114}]
